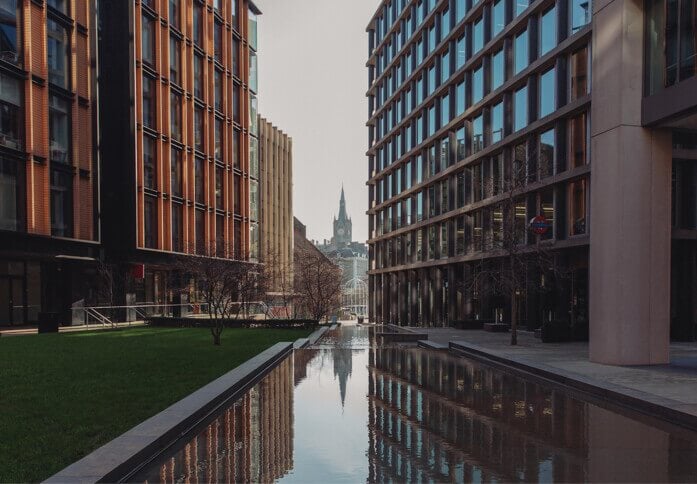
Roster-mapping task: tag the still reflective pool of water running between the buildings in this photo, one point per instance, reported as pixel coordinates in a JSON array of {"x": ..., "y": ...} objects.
[{"x": 347, "y": 410}]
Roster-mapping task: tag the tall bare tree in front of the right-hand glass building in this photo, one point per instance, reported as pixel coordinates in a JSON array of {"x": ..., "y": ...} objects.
[{"x": 510, "y": 250}]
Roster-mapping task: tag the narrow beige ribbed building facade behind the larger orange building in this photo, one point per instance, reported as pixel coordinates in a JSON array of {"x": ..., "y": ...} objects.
[{"x": 276, "y": 198}]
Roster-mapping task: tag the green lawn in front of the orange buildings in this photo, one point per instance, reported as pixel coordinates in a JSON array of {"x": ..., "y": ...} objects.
[{"x": 64, "y": 395}]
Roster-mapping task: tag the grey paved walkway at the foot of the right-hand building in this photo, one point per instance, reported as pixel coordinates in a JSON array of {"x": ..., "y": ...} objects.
[{"x": 673, "y": 385}]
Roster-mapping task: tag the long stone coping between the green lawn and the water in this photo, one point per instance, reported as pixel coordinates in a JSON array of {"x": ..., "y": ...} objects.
[{"x": 116, "y": 459}]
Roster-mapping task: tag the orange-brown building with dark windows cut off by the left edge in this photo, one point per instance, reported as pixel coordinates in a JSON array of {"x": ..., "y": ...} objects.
[{"x": 49, "y": 175}]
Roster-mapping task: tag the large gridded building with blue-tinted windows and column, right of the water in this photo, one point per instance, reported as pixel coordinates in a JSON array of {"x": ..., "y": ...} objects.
[{"x": 463, "y": 95}]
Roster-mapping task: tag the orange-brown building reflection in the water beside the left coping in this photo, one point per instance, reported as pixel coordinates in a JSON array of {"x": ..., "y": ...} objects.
[{"x": 251, "y": 441}]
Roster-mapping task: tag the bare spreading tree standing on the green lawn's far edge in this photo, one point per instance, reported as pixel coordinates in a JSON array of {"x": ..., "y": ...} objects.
[{"x": 226, "y": 286}]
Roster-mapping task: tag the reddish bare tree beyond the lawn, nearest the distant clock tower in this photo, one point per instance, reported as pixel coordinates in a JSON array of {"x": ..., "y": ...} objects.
[{"x": 317, "y": 283}]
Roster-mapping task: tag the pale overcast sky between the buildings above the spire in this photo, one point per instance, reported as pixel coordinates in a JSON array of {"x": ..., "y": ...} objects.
[{"x": 312, "y": 84}]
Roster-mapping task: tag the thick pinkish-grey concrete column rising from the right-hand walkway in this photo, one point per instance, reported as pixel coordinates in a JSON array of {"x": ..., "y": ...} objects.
[{"x": 630, "y": 203}]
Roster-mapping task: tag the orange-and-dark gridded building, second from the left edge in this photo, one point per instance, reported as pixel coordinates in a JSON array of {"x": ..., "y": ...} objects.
[{"x": 181, "y": 168}]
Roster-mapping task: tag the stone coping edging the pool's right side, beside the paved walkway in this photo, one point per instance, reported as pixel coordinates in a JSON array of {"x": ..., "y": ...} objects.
[{"x": 605, "y": 392}]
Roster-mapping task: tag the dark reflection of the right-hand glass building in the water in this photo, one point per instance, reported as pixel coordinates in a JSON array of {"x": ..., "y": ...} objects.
[{"x": 437, "y": 417}]
